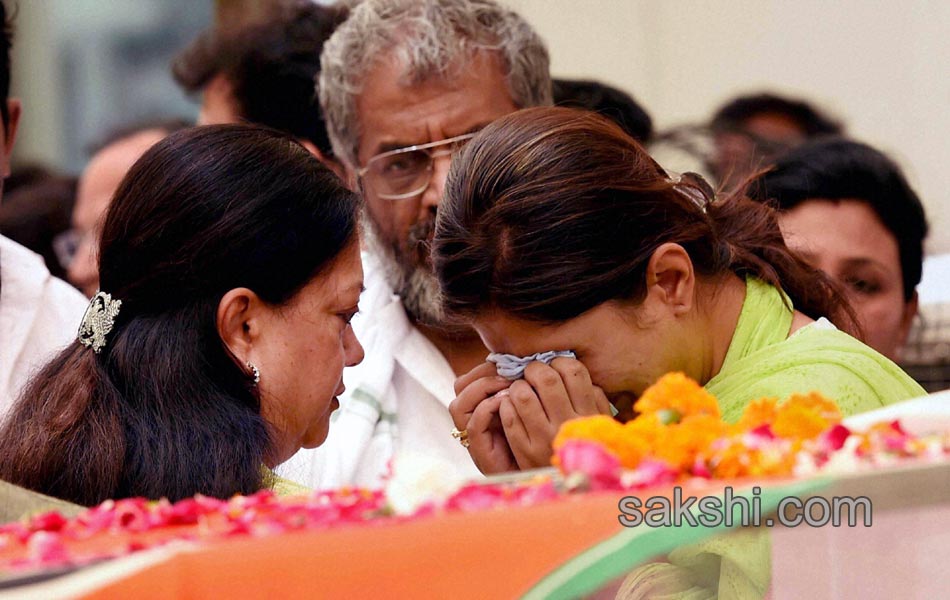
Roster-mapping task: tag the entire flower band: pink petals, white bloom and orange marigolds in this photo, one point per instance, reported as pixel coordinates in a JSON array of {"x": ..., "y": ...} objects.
[{"x": 678, "y": 434}]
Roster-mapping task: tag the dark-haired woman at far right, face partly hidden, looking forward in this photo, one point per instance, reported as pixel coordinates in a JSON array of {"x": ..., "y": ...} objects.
[{"x": 876, "y": 248}]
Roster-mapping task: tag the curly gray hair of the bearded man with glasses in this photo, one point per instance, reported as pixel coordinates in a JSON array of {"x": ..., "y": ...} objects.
[{"x": 434, "y": 38}]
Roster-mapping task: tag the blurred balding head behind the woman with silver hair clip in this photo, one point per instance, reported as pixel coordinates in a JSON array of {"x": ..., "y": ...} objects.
[{"x": 78, "y": 247}]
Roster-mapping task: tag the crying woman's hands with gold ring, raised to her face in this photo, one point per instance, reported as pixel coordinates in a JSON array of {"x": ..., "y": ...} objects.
[{"x": 511, "y": 424}]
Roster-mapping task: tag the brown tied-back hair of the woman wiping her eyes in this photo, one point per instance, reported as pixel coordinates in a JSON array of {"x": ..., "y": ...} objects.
[{"x": 550, "y": 212}]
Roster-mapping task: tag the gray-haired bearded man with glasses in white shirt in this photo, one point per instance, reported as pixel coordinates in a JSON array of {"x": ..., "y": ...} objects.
[{"x": 404, "y": 84}]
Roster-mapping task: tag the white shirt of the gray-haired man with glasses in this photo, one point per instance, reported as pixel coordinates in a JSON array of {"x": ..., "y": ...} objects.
[{"x": 396, "y": 401}]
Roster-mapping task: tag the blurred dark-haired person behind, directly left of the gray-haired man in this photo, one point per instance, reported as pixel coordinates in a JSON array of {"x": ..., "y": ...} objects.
[{"x": 264, "y": 73}]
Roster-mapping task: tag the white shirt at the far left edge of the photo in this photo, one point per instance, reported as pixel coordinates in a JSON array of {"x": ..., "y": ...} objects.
[{"x": 39, "y": 316}]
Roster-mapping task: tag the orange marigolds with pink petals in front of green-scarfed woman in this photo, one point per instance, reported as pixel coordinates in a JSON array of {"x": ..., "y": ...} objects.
[{"x": 678, "y": 433}]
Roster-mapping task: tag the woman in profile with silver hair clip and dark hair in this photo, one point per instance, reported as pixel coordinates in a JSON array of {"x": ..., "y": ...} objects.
[{"x": 229, "y": 271}]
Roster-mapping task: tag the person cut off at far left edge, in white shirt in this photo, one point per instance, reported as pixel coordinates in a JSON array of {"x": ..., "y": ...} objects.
[{"x": 38, "y": 313}]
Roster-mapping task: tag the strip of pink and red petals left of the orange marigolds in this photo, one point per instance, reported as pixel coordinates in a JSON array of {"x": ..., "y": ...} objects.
[{"x": 121, "y": 527}]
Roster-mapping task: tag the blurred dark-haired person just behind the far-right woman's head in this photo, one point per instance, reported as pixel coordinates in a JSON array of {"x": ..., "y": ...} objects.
[{"x": 752, "y": 131}]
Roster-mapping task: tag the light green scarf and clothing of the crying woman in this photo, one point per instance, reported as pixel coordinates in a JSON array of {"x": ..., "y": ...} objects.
[{"x": 764, "y": 362}]
